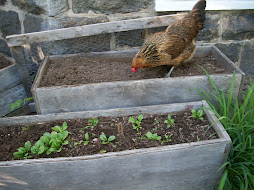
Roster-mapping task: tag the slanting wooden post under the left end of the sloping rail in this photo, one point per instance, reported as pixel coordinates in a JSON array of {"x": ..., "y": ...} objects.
[{"x": 21, "y": 63}]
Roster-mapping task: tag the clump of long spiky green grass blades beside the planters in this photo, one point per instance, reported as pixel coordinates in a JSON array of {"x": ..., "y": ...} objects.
[{"x": 237, "y": 117}]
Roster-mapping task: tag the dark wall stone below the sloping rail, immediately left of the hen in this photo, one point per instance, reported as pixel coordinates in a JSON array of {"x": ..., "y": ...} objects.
[{"x": 131, "y": 38}]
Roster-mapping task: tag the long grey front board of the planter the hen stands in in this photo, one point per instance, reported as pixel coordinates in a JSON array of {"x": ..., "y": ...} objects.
[{"x": 129, "y": 94}]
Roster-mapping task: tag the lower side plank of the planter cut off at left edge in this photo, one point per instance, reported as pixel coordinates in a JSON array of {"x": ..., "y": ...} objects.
[{"x": 10, "y": 96}]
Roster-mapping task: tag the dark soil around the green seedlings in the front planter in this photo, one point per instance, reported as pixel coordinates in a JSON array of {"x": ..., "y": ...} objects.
[{"x": 186, "y": 129}]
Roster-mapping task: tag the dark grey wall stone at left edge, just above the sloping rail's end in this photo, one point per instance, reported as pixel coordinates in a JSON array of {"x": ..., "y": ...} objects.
[{"x": 10, "y": 23}]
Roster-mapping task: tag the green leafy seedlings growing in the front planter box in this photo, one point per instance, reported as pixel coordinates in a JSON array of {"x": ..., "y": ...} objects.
[{"x": 54, "y": 141}]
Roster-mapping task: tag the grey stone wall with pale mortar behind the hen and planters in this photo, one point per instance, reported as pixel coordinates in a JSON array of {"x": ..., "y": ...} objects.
[{"x": 231, "y": 31}]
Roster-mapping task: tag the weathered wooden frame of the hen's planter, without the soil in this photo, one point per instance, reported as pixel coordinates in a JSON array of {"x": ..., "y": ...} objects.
[{"x": 133, "y": 93}]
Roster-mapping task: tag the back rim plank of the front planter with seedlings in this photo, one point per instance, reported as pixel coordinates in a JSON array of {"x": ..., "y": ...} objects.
[{"x": 167, "y": 108}]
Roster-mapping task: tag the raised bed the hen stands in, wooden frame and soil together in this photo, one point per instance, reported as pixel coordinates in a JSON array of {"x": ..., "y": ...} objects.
[{"x": 118, "y": 87}]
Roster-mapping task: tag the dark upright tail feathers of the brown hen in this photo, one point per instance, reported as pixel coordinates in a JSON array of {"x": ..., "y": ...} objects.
[{"x": 198, "y": 12}]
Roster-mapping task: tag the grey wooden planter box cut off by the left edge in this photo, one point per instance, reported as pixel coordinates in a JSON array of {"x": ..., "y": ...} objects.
[{"x": 11, "y": 88}]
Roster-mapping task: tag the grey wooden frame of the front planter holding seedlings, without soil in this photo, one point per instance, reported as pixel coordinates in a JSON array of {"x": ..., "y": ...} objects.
[{"x": 182, "y": 166}]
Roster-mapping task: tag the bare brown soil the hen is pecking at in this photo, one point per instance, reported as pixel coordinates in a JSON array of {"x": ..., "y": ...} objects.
[{"x": 84, "y": 70}]
